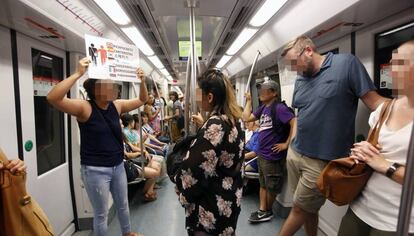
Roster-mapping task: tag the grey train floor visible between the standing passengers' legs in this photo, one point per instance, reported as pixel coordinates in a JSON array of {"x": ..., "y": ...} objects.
[{"x": 165, "y": 216}]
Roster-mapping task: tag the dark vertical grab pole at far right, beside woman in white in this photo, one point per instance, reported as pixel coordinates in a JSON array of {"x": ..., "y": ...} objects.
[{"x": 407, "y": 192}]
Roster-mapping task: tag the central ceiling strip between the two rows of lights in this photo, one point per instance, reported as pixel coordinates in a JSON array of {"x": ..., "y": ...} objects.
[{"x": 165, "y": 25}]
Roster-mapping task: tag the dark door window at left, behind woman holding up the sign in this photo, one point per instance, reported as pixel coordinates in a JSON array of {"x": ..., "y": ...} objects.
[{"x": 49, "y": 122}]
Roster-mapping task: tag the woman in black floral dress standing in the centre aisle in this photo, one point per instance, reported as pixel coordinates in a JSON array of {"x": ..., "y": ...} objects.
[{"x": 209, "y": 182}]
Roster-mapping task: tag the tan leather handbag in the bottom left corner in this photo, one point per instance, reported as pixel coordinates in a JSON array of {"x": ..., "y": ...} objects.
[{"x": 20, "y": 215}]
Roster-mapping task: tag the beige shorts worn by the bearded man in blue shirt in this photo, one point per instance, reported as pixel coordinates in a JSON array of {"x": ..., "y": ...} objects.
[{"x": 302, "y": 175}]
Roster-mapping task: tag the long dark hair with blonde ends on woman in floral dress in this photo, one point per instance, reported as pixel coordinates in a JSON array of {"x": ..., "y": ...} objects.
[{"x": 224, "y": 98}]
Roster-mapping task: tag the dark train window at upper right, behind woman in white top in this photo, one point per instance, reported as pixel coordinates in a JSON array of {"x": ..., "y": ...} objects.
[{"x": 385, "y": 43}]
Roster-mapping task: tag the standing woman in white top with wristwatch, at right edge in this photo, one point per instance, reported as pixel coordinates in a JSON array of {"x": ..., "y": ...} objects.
[{"x": 375, "y": 211}]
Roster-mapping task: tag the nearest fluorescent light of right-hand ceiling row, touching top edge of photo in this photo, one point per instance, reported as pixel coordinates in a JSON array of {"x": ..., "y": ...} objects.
[{"x": 266, "y": 11}]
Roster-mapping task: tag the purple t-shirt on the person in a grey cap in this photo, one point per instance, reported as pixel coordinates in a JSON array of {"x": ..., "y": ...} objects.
[{"x": 267, "y": 137}]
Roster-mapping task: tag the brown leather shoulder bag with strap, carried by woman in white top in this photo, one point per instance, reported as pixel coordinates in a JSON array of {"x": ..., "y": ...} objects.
[{"x": 342, "y": 179}]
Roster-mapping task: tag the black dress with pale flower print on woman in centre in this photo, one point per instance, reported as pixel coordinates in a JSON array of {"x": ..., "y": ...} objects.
[{"x": 209, "y": 181}]
